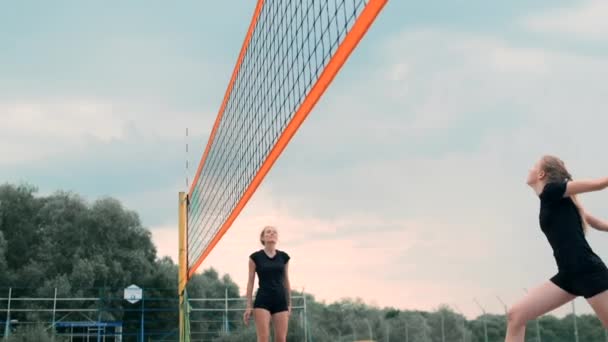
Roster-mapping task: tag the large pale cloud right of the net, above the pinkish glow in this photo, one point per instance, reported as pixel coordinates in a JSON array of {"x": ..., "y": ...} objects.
[{"x": 470, "y": 109}]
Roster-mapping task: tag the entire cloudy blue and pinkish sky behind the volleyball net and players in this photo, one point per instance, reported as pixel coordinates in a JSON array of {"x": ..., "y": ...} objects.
[{"x": 404, "y": 187}]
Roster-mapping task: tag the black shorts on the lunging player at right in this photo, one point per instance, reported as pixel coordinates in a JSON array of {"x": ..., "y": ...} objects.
[{"x": 586, "y": 284}]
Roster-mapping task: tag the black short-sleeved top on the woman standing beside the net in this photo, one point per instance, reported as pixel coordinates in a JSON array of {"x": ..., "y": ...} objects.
[{"x": 271, "y": 271}]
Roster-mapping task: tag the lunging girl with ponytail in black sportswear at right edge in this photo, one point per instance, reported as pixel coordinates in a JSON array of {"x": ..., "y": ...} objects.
[{"x": 564, "y": 222}]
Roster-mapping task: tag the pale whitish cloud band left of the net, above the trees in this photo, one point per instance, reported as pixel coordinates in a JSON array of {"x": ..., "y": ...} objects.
[{"x": 39, "y": 130}]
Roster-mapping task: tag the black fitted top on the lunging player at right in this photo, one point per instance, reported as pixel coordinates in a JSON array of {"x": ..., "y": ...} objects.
[{"x": 561, "y": 223}]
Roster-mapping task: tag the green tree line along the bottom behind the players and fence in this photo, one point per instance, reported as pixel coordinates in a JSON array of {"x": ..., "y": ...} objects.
[{"x": 60, "y": 242}]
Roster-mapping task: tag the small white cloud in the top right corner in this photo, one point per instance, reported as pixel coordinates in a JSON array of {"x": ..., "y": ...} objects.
[{"x": 585, "y": 20}]
